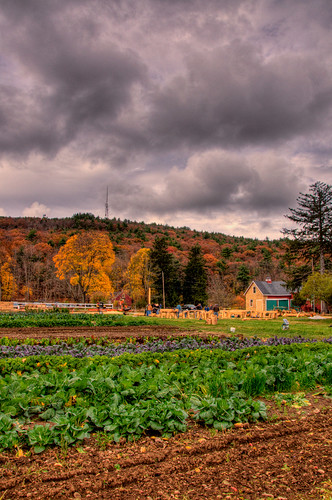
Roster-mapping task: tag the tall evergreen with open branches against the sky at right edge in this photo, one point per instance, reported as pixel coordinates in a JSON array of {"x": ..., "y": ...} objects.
[{"x": 314, "y": 218}]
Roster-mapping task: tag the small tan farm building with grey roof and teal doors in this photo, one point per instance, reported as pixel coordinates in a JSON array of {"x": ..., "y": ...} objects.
[{"x": 267, "y": 295}]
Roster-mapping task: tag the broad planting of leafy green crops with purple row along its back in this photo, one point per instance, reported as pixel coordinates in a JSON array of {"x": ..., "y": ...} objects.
[{"x": 59, "y": 398}]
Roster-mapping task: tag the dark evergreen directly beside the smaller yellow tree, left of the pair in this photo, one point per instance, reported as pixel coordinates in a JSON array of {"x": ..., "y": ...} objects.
[{"x": 166, "y": 273}]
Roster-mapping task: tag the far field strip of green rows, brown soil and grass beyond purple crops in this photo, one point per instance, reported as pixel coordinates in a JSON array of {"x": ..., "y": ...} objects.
[{"x": 50, "y": 324}]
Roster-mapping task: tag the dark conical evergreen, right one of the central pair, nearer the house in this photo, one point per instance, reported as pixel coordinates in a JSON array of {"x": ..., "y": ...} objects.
[{"x": 195, "y": 281}]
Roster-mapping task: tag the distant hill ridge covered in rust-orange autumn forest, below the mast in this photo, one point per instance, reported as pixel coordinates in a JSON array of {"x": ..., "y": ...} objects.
[{"x": 137, "y": 234}]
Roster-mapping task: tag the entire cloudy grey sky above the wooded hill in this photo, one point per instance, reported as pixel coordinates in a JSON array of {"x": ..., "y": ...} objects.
[{"x": 212, "y": 114}]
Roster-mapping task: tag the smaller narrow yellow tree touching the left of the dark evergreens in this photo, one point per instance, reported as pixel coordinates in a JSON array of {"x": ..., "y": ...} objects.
[{"x": 139, "y": 275}]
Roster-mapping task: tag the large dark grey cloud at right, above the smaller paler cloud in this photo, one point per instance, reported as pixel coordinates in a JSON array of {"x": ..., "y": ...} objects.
[{"x": 231, "y": 96}]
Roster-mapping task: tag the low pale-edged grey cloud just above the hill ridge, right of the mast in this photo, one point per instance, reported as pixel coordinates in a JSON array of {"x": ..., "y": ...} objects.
[{"x": 217, "y": 181}]
